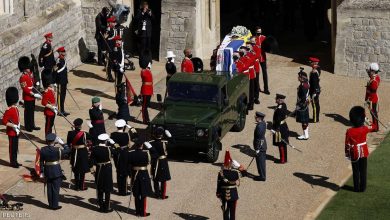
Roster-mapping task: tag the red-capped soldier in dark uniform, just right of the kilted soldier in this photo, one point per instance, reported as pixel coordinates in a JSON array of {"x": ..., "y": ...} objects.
[{"x": 315, "y": 89}]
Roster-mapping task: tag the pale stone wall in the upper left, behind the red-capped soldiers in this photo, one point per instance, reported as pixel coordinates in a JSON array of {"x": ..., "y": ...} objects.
[{"x": 26, "y": 37}]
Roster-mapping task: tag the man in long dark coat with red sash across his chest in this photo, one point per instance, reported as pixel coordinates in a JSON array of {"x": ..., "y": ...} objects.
[{"x": 79, "y": 141}]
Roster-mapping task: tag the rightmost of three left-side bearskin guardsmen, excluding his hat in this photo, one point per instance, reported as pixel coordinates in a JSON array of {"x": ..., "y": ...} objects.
[{"x": 50, "y": 112}]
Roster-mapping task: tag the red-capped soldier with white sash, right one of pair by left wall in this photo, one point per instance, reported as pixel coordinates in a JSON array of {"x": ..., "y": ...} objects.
[{"x": 61, "y": 80}]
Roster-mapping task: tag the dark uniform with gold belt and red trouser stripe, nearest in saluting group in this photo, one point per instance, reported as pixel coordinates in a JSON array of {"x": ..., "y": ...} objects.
[{"x": 138, "y": 160}]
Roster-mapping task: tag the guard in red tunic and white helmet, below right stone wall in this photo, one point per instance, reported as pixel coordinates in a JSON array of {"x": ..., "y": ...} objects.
[{"x": 371, "y": 93}]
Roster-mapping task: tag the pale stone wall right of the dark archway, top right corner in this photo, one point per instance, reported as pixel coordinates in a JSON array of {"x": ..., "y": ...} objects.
[{"x": 363, "y": 36}]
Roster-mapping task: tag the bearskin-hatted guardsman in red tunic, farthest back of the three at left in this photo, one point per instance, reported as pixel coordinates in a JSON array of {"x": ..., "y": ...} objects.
[{"x": 27, "y": 84}]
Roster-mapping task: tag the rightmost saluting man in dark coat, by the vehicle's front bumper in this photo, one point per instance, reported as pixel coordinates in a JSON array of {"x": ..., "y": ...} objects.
[{"x": 160, "y": 167}]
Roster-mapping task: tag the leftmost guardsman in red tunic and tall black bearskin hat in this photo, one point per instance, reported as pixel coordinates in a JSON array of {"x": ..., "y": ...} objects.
[{"x": 11, "y": 120}]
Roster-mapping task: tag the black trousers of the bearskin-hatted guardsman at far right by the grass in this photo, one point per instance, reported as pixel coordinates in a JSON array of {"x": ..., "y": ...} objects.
[{"x": 359, "y": 169}]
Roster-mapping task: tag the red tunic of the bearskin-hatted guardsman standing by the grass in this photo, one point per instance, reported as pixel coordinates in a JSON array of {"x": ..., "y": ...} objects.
[{"x": 355, "y": 142}]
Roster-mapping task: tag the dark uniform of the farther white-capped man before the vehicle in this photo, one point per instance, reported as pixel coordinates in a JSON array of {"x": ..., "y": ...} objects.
[{"x": 122, "y": 139}]
